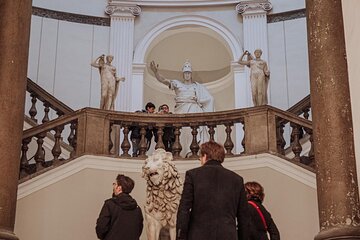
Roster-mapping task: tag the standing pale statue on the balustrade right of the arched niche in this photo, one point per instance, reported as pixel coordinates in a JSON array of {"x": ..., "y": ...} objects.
[{"x": 259, "y": 76}]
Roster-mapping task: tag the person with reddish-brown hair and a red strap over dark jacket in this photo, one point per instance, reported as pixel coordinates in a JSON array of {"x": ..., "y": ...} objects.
[{"x": 261, "y": 220}]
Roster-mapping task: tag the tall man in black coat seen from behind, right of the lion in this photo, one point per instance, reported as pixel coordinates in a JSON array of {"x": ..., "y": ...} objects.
[{"x": 213, "y": 205}]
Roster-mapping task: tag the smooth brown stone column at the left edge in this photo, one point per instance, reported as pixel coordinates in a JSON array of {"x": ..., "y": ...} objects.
[{"x": 15, "y": 17}]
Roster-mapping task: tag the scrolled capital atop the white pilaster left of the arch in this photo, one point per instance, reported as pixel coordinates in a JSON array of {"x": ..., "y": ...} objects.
[{"x": 115, "y": 8}]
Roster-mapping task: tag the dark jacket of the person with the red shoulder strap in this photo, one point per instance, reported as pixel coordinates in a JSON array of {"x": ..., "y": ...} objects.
[{"x": 257, "y": 228}]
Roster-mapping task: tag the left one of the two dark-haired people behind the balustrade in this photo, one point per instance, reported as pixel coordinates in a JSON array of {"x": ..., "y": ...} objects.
[{"x": 135, "y": 135}]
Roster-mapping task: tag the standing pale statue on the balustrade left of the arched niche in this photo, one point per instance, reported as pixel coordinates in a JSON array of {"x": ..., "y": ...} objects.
[{"x": 109, "y": 81}]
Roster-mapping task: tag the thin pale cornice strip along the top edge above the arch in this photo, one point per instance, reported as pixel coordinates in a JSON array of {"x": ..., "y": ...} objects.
[{"x": 178, "y": 3}]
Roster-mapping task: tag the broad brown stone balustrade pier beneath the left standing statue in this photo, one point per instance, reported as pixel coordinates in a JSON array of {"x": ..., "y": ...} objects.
[{"x": 93, "y": 133}]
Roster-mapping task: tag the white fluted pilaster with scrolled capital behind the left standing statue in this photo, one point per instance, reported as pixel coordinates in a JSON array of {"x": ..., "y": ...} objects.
[{"x": 122, "y": 47}]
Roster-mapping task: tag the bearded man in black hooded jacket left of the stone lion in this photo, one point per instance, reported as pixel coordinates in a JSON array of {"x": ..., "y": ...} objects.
[{"x": 120, "y": 216}]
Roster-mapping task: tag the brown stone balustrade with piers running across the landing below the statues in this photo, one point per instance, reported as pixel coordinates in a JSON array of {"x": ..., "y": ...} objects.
[{"x": 97, "y": 132}]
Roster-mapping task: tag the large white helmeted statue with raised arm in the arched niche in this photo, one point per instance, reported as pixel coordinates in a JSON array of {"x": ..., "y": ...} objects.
[{"x": 191, "y": 97}]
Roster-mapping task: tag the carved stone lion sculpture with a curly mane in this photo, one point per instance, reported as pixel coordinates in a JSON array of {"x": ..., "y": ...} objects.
[{"x": 163, "y": 192}]
